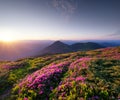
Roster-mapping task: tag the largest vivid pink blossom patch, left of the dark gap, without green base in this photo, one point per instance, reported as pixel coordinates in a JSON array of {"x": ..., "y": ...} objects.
[{"x": 44, "y": 80}]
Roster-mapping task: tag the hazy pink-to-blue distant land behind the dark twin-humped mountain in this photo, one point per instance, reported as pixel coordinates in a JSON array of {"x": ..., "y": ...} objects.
[{"x": 12, "y": 51}]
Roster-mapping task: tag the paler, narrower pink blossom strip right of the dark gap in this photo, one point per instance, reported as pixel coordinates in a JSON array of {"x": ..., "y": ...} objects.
[{"x": 74, "y": 76}]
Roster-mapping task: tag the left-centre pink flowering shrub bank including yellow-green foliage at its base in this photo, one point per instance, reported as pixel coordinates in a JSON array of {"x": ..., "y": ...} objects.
[{"x": 41, "y": 83}]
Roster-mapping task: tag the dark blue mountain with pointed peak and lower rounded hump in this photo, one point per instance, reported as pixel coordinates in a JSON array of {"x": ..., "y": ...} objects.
[{"x": 60, "y": 47}]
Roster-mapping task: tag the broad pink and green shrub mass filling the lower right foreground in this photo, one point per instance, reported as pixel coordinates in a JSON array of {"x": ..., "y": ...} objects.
[{"x": 85, "y": 81}]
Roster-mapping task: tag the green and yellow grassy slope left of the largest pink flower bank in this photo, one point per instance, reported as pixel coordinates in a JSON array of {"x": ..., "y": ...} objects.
[{"x": 12, "y": 72}]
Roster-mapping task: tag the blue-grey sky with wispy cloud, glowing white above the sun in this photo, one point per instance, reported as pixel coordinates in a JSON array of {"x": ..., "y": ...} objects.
[{"x": 60, "y": 19}]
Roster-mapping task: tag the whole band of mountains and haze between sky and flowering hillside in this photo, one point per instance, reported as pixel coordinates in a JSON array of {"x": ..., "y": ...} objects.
[{"x": 29, "y": 48}]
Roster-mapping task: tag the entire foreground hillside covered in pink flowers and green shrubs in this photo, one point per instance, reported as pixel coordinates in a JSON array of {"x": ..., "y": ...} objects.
[{"x": 90, "y": 75}]
